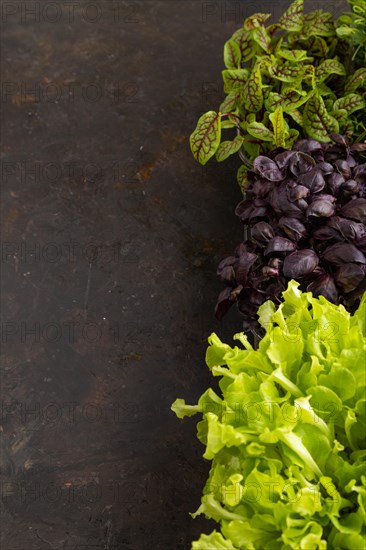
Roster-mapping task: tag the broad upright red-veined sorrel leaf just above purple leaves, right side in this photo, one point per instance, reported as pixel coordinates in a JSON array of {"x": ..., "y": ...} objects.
[{"x": 317, "y": 121}]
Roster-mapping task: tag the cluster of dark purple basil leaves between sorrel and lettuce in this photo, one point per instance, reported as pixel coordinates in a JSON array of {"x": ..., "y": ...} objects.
[{"x": 305, "y": 210}]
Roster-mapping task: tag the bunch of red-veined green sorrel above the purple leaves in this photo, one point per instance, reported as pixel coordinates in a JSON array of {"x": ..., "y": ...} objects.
[{"x": 310, "y": 65}]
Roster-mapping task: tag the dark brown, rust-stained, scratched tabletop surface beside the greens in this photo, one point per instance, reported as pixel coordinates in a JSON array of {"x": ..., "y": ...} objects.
[{"x": 111, "y": 234}]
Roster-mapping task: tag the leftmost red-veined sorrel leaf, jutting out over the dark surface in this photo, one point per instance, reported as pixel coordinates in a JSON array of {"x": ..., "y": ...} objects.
[{"x": 206, "y": 137}]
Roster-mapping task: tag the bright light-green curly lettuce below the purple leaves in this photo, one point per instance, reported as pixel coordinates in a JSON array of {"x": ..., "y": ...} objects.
[{"x": 286, "y": 432}]
